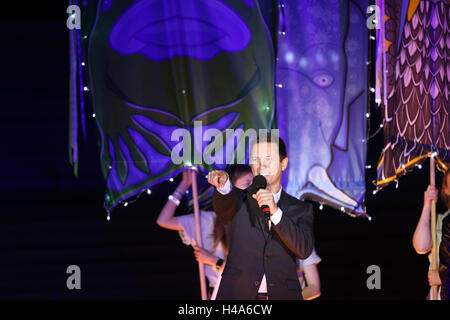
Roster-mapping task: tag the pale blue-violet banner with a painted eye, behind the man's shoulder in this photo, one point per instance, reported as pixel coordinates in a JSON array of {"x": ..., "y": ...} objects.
[{"x": 322, "y": 100}]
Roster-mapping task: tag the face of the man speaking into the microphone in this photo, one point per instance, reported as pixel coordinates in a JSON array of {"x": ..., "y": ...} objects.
[{"x": 265, "y": 160}]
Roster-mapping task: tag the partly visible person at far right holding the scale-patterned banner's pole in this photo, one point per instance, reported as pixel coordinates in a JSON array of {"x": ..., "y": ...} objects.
[{"x": 422, "y": 241}]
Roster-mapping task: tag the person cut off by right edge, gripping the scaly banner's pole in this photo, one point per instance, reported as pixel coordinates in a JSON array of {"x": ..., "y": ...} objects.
[{"x": 422, "y": 238}]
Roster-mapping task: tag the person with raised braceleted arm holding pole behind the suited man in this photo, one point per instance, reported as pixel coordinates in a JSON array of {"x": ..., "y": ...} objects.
[{"x": 215, "y": 237}]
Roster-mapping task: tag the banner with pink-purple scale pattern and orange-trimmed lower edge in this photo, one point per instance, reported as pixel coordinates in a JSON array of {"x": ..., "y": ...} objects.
[{"x": 413, "y": 78}]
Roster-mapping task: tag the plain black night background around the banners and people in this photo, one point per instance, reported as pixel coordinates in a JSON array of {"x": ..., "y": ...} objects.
[{"x": 50, "y": 219}]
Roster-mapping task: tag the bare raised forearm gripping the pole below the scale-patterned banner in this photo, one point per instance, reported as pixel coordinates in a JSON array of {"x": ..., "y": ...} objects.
[{"x": 422, "y": 235}]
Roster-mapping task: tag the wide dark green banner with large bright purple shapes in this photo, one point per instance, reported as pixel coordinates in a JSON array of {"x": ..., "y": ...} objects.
[{"x": 162, "y": 72}]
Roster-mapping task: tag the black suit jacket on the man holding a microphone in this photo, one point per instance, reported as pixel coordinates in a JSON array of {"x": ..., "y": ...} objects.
[{"x": 255, "y": 251}]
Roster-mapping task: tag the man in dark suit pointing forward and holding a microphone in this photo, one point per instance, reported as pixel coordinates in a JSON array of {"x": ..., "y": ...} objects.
[{"x": 261, "y": 262}]
